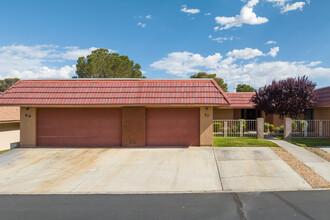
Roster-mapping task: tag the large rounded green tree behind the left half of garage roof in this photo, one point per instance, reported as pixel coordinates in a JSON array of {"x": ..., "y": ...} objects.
[{"x": 103, "y": 64}]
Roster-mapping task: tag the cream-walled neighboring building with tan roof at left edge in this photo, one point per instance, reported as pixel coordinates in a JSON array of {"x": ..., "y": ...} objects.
[{"x": 9, "y": 126}]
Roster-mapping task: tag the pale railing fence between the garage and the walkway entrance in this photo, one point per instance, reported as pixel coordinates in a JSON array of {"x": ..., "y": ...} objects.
[{"x": 234, "y": 128}]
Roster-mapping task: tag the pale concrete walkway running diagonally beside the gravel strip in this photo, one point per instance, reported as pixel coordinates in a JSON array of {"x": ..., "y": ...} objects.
[{"x": 319, "y": 165}]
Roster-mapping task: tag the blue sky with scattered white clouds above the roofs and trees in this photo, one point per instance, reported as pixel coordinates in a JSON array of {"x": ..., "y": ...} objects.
[{"x": 249, "y": 42}]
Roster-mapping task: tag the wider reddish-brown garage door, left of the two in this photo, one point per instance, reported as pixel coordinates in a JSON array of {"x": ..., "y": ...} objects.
[{"x": 79, "y": 127}]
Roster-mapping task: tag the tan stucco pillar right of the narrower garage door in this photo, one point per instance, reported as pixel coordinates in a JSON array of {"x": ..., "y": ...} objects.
[{"x": 206, "y": 126}]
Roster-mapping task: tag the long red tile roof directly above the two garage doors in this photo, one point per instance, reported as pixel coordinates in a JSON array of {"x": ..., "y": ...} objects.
[{"x": 114, "y": 92}]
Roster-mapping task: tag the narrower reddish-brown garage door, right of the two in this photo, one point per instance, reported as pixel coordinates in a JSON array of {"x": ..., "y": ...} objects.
[{"x": 172, "y": 127}]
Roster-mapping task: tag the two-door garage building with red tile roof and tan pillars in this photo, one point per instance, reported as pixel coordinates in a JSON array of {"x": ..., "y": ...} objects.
[{"x": 116, "y": 112}]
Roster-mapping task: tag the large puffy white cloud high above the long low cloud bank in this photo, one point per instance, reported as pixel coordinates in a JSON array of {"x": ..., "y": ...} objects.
[{"x": 246, "y": 16}]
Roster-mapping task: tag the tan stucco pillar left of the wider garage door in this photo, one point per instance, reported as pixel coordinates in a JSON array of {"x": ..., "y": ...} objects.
[{"x": 28, "y": 136}]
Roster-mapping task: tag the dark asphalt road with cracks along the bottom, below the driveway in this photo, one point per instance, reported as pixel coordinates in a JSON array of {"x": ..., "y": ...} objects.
[{"x": 266, "y": 205}]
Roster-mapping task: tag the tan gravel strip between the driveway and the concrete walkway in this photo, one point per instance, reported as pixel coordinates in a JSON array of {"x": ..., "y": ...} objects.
[{"x": 312, "y": 178}]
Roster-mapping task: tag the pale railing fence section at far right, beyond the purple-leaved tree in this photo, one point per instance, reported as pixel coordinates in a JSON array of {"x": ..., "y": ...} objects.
[{"x": 310, "y": 129}]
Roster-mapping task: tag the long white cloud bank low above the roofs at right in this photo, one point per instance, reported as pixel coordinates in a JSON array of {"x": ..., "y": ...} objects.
[{"x": 234, "y": 71}]
